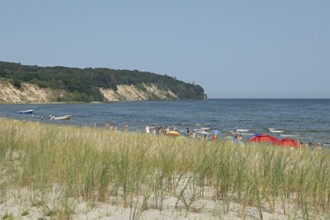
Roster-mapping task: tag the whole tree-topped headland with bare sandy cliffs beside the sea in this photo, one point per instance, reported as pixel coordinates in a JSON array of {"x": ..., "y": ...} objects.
[{"x": 25, "y": 83}]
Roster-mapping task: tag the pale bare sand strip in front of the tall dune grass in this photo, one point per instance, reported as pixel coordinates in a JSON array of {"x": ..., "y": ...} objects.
[{"x": 26, "y": 205}]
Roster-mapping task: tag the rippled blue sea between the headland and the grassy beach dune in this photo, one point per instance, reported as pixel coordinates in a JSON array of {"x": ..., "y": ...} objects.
[{"x": 309, "y": 118}]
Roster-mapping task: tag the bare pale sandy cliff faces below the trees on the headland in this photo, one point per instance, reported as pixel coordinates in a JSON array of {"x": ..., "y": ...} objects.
[{"x": 30, "y": 93}]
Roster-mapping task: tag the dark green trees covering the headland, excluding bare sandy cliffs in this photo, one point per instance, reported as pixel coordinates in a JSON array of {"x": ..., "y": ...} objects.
[{"x": 84, "y": 83}]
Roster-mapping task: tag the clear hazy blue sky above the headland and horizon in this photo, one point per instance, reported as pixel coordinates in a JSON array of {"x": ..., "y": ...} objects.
[{"x": 233, "y": 48}]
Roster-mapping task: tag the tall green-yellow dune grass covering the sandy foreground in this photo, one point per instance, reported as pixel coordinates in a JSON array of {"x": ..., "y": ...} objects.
[{"x": 95, "y": 165}]
